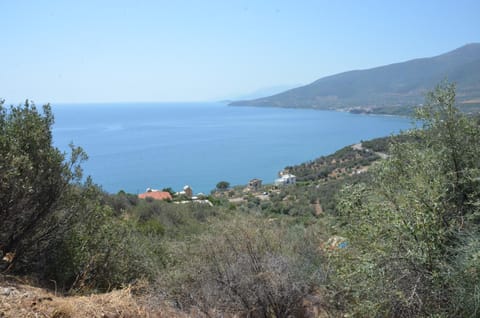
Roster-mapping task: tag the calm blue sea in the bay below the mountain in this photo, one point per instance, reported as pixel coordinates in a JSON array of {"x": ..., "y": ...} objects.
[{"x": 135, "y": 146}]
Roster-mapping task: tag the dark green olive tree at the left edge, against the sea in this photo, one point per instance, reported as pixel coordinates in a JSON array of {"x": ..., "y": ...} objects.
[{"x": 37, "y": 192}]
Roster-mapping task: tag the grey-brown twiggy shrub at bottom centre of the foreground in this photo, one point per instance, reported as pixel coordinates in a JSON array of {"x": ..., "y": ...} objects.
[{"x": 246, "y": 265}]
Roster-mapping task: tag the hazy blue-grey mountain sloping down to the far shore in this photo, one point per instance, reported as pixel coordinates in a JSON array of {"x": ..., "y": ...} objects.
[{"x": 395, "y": 85}]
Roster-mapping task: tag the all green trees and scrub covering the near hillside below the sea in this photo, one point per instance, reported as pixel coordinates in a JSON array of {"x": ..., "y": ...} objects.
[{"x": 386, "y": 228}]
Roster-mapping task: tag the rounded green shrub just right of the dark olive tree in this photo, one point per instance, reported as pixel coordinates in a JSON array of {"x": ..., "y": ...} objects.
[{"x": 104, "y": 252}]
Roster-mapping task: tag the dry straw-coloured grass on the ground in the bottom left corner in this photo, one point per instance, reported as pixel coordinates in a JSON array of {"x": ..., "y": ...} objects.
[{"x": 21, "y": 300}]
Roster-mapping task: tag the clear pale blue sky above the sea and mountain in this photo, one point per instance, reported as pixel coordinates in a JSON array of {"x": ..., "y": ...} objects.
[{"x": 207, "y": 50}]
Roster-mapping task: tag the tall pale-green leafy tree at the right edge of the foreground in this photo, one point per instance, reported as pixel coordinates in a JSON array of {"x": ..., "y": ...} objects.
[{"x": 406, "y": 226}]
